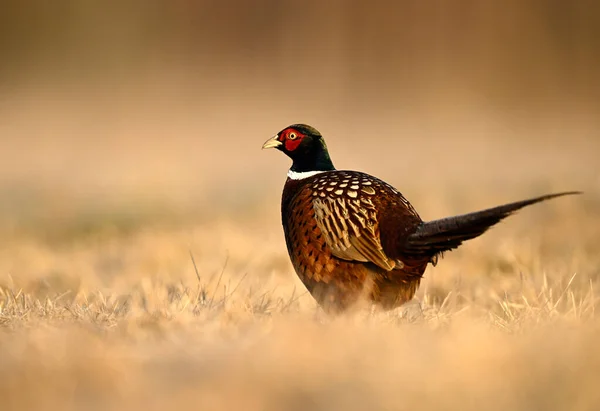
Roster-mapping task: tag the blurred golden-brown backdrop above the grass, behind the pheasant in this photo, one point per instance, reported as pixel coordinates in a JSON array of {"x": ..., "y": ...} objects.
[{"x": 162, "y": 102}]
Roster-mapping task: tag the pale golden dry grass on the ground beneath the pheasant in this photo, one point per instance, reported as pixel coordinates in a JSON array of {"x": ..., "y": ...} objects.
[{"x": 486, "y": 333}]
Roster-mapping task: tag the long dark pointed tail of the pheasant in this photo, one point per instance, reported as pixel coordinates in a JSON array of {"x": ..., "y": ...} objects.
[{"x": 437, "y": 236}]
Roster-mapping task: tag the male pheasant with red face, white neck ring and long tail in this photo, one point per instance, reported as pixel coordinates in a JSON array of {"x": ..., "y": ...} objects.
[{"x": 351, "y": 236}]
